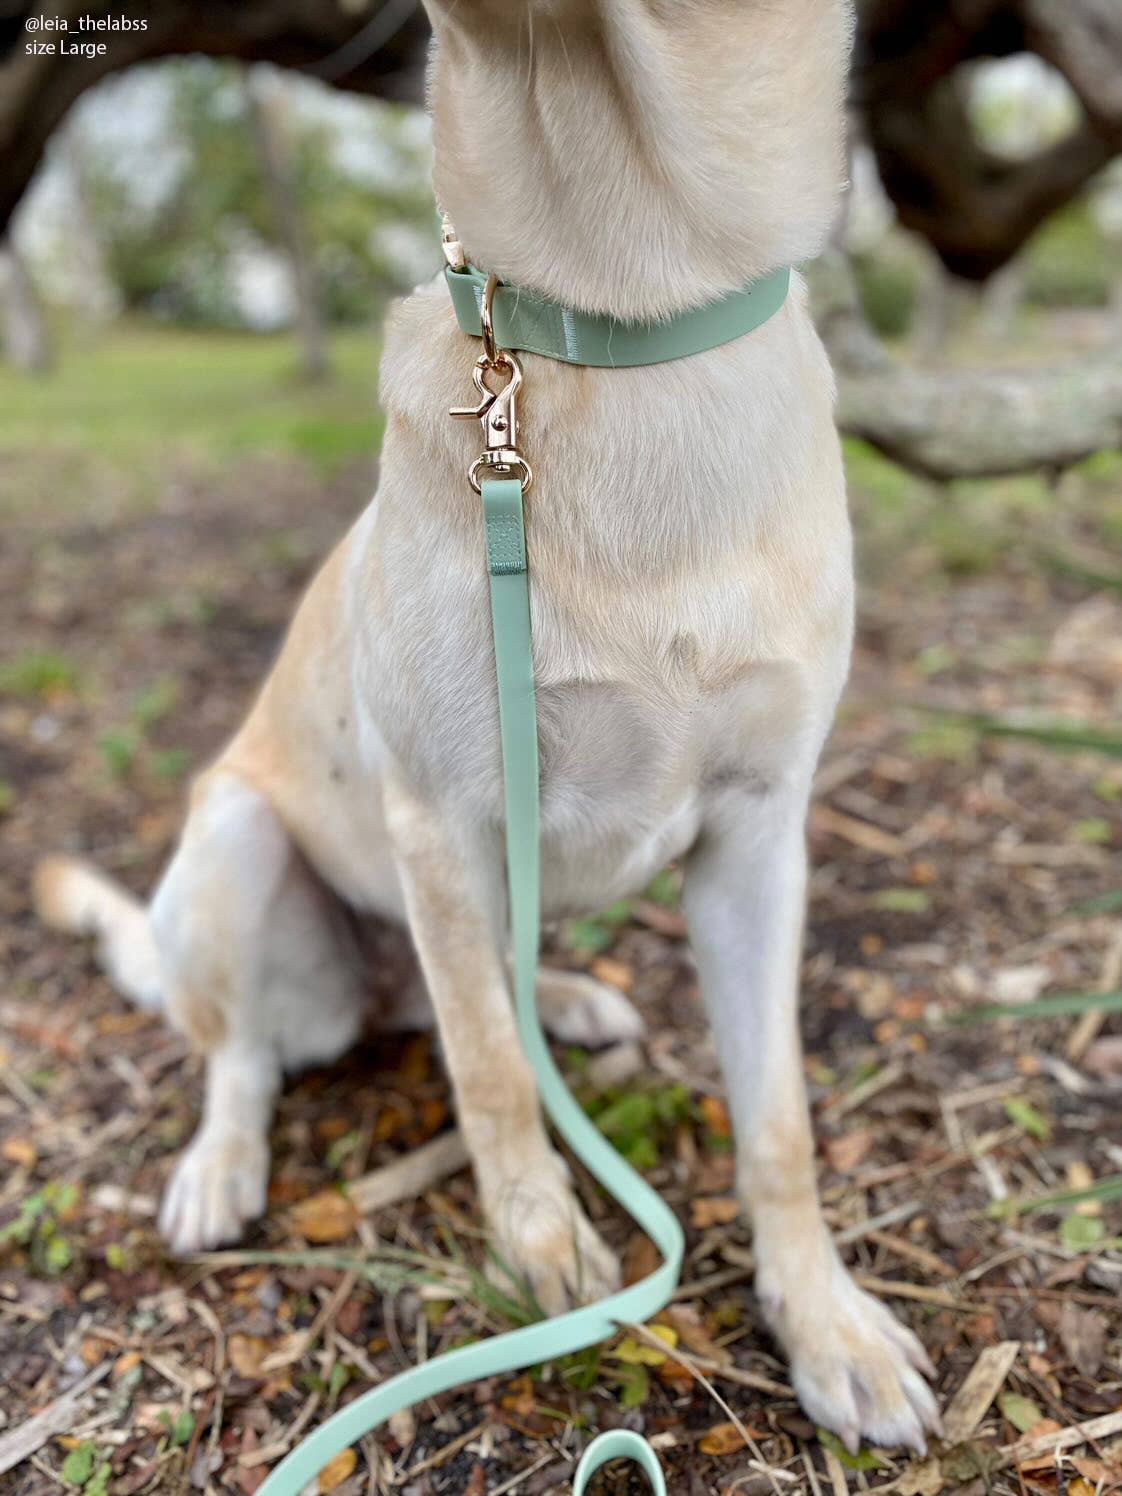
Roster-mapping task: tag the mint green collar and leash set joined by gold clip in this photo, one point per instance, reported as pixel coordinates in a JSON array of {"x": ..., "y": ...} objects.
[{"x": 508, "y": 321}]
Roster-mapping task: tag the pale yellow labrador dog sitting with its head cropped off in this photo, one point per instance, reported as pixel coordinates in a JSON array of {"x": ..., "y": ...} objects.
[{"x": 692, "y": 616}]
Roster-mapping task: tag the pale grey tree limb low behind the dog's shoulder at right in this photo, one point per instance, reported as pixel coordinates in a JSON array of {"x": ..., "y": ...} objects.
[{"x": 952, "y": 424}]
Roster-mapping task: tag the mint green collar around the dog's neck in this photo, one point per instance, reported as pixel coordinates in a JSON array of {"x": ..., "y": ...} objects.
[{"x": 527, "y": 322}]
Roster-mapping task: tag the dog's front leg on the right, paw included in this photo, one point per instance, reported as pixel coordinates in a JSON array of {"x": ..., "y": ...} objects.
[{"x": 855, "y": 1368}]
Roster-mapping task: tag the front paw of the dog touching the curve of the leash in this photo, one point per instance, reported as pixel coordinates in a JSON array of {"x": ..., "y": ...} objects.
[{"x": 544, "y": 1238}]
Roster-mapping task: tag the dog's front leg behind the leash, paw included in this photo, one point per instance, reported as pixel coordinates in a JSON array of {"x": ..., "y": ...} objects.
[{"x": 454, "y": 900}]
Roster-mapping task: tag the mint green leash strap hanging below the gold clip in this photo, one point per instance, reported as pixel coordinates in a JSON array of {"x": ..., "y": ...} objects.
[{"x": 506, "y": 556}]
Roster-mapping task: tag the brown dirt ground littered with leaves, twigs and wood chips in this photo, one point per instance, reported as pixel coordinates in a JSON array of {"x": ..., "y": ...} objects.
[{"x": 952, "y": 868}]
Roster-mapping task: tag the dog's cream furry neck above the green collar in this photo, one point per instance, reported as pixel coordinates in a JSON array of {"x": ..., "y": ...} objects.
[{"x": 638, "y": 156}]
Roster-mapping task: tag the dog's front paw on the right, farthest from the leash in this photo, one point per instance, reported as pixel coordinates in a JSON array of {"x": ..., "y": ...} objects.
[{"x": 855, "y": 1368}]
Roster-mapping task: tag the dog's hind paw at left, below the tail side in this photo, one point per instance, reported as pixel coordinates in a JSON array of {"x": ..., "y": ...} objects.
[{"x": 218, "y": 1189}]
